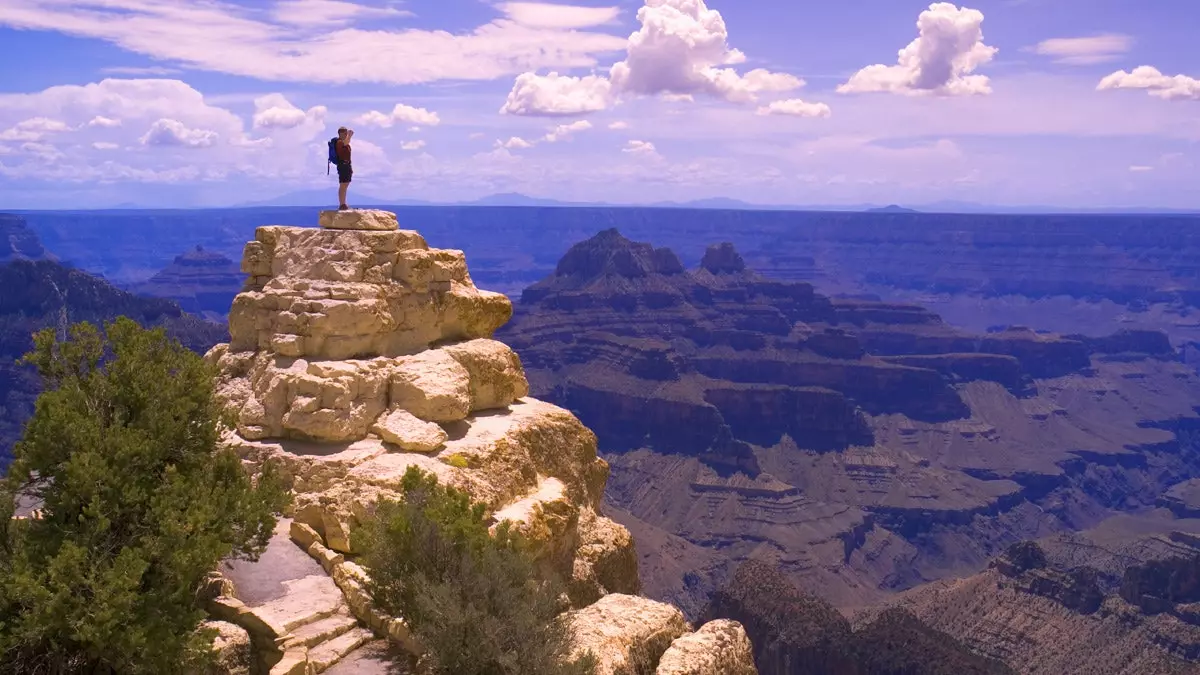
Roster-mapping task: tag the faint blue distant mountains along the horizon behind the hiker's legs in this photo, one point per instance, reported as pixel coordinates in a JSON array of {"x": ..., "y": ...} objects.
[{"x": 328, "y": 199}]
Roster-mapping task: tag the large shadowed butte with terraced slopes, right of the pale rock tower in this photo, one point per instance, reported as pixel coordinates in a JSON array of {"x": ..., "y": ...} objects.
[{"x": 867, "y": 447}]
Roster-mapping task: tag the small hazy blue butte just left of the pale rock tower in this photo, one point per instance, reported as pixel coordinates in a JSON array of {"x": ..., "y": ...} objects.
[{"x": 202, "y": 283}]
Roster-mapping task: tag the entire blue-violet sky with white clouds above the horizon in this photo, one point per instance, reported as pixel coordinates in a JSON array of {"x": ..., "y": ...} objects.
[{"x": 1079, "y": 104}]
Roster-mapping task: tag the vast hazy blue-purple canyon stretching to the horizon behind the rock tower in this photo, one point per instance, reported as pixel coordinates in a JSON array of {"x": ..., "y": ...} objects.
[{"x": 878, "y": 405}]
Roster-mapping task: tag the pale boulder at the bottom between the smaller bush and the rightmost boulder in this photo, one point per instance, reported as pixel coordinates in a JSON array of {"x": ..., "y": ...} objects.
[{"x": 626, "y": 634}]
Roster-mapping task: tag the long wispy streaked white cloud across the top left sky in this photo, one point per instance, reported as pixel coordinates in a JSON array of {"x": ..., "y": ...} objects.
[{"x": 310, "y": 40}]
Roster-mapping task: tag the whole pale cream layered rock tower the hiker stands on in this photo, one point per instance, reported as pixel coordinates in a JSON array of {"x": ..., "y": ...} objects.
[{"x": 357, "y": 353}]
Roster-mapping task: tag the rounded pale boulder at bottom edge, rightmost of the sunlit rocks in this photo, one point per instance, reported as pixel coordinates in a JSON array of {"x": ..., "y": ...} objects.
[{"x": 719, "y": 648}]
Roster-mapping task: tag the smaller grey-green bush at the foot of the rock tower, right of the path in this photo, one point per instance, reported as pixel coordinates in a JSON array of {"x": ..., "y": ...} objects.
[{"x": 472, "y": 600}]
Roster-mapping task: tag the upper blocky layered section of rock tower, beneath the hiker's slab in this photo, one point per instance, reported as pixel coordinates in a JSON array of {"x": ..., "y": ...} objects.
[{"x": 345, "y": 294}]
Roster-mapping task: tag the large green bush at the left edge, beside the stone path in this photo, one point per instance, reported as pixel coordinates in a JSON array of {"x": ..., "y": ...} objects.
[{"x": 140, "y": 505}]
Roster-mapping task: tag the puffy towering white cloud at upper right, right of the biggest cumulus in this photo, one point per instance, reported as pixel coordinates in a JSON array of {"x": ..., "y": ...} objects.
[{"x": 941, "y": 61}]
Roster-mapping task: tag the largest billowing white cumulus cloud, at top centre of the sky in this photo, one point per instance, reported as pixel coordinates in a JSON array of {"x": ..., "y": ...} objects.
[{"x": 681, "y": 50}]
